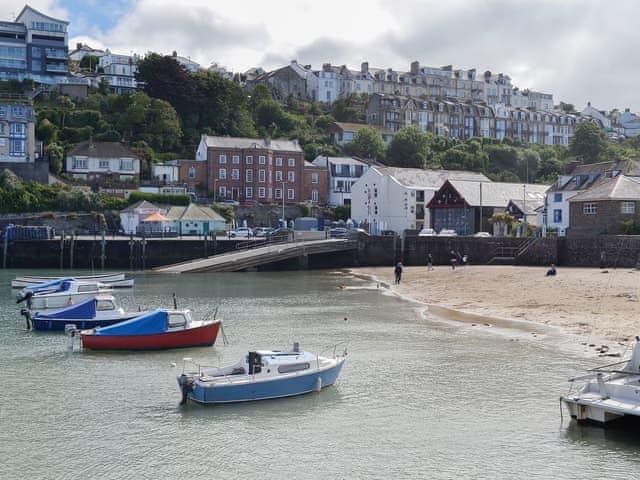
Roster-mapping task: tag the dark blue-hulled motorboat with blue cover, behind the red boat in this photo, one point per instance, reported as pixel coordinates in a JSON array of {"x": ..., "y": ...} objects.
[{"x": 98, "y": 311}]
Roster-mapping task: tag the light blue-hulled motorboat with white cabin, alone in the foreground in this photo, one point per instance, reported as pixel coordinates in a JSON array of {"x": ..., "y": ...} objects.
[{"x": 261, "y": 375}]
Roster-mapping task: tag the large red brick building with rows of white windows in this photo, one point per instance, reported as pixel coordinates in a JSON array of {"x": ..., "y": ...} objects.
[{"x": 248, "y": 170}]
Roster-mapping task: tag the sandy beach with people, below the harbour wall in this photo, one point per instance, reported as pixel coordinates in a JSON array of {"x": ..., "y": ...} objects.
[{"x": 589, "y": 302}]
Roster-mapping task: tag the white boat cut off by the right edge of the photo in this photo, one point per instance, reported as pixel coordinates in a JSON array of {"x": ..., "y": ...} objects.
[{"x": 611, "y": 392}]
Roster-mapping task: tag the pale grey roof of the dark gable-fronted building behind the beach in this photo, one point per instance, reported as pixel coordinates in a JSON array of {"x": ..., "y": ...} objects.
[{"x": 498, "y": 194}]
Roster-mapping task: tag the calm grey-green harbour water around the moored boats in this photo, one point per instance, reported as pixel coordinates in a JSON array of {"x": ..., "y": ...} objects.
[{"x": 417, "y": 398}]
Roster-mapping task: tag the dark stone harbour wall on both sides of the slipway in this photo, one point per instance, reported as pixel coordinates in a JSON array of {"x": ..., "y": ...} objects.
[{"x": 138, "y": 254}]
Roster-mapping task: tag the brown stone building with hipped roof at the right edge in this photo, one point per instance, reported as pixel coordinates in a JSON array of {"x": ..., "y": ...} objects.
[{"x": 602, "y": 210}]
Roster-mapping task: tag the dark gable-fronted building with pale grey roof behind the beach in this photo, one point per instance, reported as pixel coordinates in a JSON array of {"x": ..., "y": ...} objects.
[{"x": 467, "y": 205}]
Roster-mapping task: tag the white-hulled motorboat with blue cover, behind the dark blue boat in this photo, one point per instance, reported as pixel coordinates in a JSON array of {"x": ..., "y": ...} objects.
[{"x": 60, "y": 293}]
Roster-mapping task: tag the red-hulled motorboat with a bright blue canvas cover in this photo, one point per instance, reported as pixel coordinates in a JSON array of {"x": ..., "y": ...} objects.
[{"x": 156, "y": 330}]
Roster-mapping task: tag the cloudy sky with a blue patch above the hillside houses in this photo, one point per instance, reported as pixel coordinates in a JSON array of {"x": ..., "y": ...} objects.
[{"x": 579, "y": 50}]
